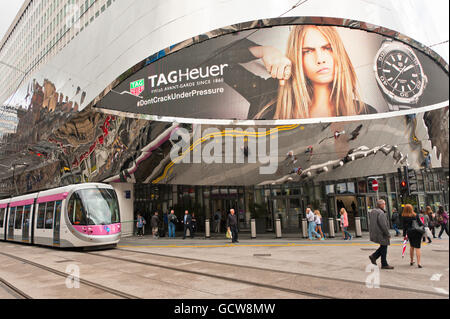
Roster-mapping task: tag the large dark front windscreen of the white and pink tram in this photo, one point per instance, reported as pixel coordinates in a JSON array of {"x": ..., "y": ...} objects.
[{"x": 93, "y": 207}]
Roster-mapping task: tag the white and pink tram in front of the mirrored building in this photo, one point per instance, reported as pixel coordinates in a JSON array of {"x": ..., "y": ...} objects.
[{"x": 82, "y": 215}]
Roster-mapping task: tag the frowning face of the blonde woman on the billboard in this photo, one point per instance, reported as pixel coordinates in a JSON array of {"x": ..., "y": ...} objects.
[{"x": 317, "y": 57}]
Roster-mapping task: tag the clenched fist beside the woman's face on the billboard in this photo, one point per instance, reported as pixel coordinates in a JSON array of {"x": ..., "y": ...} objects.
[{"x": 276, "y": 63}]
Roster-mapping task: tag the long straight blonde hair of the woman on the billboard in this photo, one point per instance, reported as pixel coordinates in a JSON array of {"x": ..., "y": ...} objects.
[{"x": 295, "y": 96}]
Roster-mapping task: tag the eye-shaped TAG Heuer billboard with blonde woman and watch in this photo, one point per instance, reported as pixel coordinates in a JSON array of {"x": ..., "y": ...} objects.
[{"x": 285, "y": 73}]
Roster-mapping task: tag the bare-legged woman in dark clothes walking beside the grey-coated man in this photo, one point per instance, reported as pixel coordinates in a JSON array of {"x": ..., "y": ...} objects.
[{"x": 414, "y": 228}]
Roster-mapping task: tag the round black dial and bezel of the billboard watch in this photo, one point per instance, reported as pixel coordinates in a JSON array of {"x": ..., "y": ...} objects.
[{"x": 399, "y": 72}]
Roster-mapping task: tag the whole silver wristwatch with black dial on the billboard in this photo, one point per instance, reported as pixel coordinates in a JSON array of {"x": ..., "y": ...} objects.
[{"x": 399, "y": 75}]
